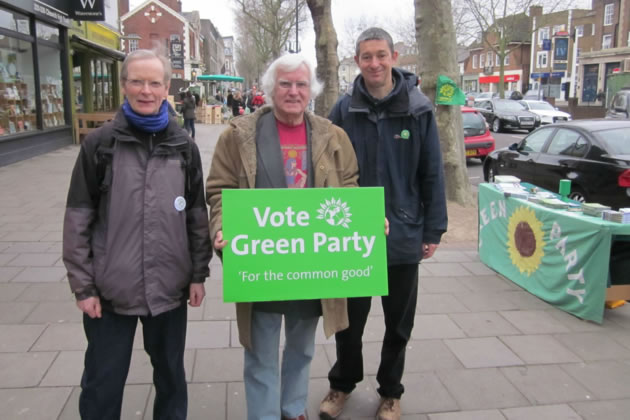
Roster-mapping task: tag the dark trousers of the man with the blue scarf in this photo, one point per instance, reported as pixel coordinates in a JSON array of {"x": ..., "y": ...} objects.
[{"x": 107, "y": 358}]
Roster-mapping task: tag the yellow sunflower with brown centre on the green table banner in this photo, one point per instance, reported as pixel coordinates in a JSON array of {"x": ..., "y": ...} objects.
[{"x": 525, "y": 240}]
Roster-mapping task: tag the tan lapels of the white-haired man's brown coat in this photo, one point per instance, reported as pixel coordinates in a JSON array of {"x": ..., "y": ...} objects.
[{"x": 245, "y": 130}]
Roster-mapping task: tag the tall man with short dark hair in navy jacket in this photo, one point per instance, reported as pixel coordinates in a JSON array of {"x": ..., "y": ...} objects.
[{"x": 394, "y": 134}]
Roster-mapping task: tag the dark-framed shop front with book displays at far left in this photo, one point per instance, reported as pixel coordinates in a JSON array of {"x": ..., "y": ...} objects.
[{"x": 35, "y": 113}]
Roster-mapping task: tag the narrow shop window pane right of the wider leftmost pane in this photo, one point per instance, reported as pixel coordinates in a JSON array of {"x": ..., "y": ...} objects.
[{"x": 51, "y": 85}]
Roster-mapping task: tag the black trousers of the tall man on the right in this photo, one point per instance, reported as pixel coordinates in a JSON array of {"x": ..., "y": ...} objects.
[{"x": 399, "y": 308}]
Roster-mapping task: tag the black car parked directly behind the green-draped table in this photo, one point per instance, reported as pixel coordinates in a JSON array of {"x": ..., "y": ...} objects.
[{"x": 593, "y": 154}]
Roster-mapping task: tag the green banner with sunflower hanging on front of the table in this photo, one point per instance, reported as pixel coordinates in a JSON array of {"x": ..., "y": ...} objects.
[{"x": 559, "y": 256}]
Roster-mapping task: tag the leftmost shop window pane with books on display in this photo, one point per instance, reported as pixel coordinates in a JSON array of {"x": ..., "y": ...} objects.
[{"x": 17, "y": 86}]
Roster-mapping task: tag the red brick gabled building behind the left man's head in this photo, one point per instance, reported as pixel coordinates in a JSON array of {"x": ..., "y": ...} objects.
[{"x": 161, "y": 25}]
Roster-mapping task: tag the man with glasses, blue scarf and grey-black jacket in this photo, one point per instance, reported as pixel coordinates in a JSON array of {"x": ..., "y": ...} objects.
[{"x": 136, "y": 243}]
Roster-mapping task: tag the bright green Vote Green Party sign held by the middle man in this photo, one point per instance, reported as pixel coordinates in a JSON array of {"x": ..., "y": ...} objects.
[{"x": 310, "y": 243}]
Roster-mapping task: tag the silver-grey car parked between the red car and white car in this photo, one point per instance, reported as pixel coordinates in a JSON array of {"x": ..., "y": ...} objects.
[{"x": 506, "y": 114}]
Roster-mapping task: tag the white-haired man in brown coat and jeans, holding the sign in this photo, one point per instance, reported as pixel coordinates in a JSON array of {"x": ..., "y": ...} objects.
[{"x": 253, "y": 153}]
